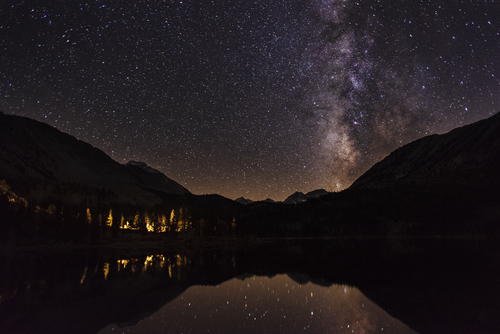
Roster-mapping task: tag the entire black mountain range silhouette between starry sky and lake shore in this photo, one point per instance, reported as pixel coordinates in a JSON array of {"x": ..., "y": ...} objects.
[{"x": 438, "y": 185}]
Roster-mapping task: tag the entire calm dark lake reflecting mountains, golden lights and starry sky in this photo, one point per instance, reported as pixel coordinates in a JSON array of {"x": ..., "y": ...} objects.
[{"x": 355, "y": 286}]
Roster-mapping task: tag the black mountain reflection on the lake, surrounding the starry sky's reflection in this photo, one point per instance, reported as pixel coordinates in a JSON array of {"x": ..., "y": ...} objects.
[{"x": 418, "y": 283}]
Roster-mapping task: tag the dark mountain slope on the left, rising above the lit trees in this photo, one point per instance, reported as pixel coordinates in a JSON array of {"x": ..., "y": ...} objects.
[{"x": 40, "y": 160}]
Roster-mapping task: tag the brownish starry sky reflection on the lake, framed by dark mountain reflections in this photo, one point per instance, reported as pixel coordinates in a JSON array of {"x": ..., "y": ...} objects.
[{"x": 261, "y": 304}]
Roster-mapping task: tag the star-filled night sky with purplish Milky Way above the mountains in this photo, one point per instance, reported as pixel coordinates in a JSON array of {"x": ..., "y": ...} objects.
[{"x": 251, "y": 98}]
